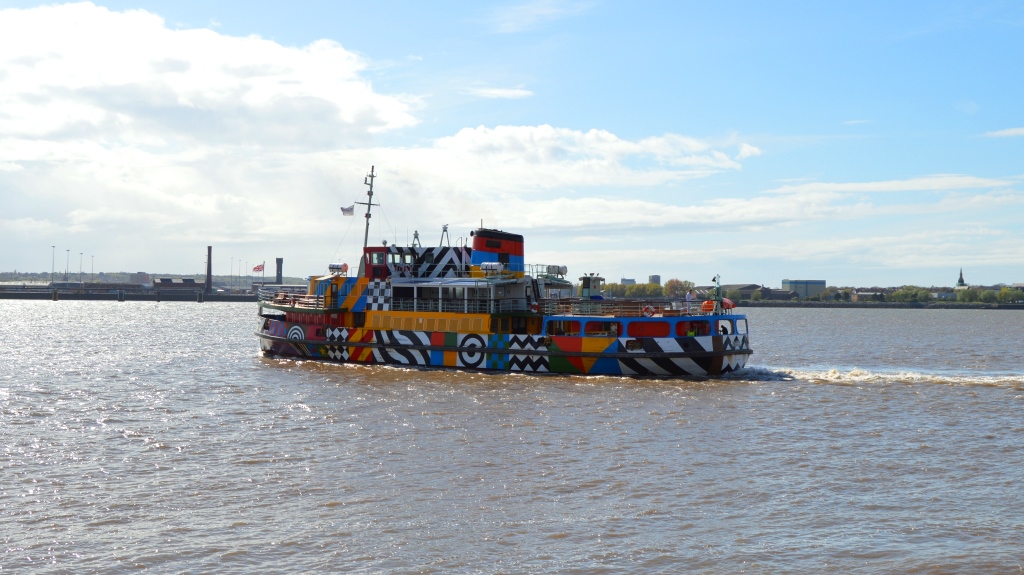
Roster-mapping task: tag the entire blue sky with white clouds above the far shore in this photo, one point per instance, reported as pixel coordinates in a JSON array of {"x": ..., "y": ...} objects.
[{"x": 865, "y": 144}]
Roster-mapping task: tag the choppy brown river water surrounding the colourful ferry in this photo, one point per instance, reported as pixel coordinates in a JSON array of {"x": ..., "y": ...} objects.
[{"x": 146, "y": 435}]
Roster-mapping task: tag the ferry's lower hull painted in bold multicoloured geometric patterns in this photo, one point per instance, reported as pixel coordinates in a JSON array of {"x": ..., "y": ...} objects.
[{"x": 688, "y": 357}]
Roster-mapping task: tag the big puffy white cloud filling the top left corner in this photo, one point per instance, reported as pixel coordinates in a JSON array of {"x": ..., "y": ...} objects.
[{"x": 80, "y": 72}]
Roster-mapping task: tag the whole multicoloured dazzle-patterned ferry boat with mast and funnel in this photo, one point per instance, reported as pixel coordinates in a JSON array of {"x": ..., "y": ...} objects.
[{"x": 477, "y": 308}]
